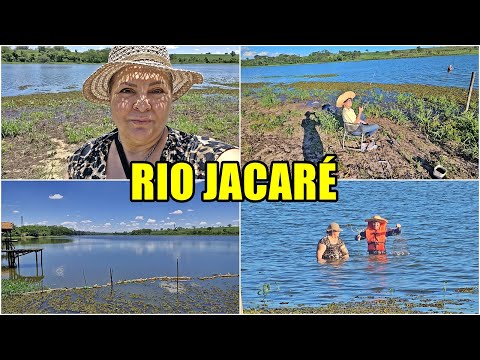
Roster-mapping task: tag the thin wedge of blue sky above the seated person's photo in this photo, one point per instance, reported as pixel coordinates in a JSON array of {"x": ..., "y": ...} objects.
[{"x": 249, "y": 52}]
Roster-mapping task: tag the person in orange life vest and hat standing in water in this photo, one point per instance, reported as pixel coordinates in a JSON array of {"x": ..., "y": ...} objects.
[{"x": 376, "y": 234}]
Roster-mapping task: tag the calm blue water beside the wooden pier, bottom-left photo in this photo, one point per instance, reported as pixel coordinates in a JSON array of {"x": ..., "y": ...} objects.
[{"x": 88, "y": 259}]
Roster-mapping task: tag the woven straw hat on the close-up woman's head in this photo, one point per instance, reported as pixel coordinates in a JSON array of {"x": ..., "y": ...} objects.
[{"x": 95, "y": 88}]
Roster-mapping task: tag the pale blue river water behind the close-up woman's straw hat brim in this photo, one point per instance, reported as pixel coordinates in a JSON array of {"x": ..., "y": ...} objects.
[{"x": 24, "y": 79}]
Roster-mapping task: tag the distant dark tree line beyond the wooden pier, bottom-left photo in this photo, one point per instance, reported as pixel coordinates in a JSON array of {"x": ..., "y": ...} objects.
[{"x": 54, "y": 230}]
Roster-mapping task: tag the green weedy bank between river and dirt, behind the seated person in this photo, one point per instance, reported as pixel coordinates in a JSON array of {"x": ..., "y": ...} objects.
[{"x": 434, "y": 114}]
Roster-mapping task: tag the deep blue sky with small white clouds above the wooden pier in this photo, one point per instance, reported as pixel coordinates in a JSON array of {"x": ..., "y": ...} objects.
[{"x": 106, "y": 206}]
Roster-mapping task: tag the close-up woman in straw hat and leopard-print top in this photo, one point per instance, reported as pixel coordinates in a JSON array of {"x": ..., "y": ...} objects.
[{"x": 140, "y": 85}]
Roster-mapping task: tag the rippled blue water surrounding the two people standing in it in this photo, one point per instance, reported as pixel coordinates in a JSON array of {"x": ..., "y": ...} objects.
[{"x": 436, "y": 253}]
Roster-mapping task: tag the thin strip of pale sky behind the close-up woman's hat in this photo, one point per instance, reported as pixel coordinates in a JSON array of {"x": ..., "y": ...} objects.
[{"x": 172, "y": 49}]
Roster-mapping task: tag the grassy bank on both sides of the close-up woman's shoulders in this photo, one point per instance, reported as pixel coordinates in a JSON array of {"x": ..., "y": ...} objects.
[{"x": 40, "y": 131}]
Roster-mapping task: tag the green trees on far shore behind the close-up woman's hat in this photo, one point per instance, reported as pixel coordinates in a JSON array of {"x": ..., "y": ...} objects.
[{"x": 60, "y": 54}]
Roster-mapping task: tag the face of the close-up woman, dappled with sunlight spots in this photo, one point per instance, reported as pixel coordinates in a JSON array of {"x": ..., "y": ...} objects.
[{"x": 140, "y": 100}]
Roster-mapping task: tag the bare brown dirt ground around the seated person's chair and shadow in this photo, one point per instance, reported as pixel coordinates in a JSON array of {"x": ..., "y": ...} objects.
[{"x": 403, "y": 151}]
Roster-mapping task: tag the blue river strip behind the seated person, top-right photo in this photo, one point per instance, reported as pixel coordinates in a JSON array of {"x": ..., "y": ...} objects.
[{"x": 425, "y": 71}]
